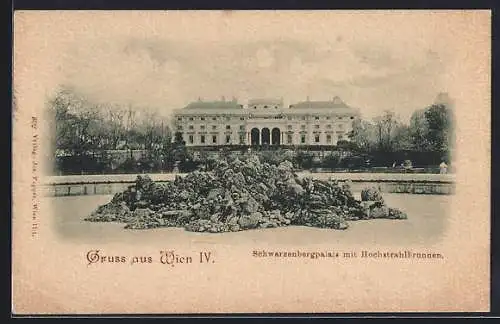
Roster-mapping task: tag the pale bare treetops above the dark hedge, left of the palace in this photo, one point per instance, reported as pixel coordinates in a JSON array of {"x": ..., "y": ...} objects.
[{"x": 81, "y": 125}]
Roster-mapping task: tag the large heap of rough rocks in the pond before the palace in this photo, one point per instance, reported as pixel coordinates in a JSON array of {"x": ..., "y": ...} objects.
[{"x": 242, "y": 195}]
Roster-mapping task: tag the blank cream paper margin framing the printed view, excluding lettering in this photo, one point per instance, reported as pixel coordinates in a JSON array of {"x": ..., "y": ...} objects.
[{"x": 50, "y": 275}]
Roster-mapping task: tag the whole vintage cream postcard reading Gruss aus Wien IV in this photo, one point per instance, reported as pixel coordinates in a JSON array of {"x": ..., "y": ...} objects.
[{"x": 194, "y": 162}]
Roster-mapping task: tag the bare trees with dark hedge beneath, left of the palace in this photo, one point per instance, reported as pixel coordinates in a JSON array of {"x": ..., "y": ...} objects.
[{"x": 84, "y": 132}]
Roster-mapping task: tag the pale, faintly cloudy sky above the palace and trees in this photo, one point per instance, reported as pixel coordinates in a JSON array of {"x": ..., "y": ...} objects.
[{"x": 162, "y": 61}]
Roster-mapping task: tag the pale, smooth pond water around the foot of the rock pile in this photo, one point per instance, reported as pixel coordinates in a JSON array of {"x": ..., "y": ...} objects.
[{"x": 426, "y": 223}]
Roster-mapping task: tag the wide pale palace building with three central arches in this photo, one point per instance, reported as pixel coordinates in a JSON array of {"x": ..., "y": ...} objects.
[{"x": 264, "y": 122}]
